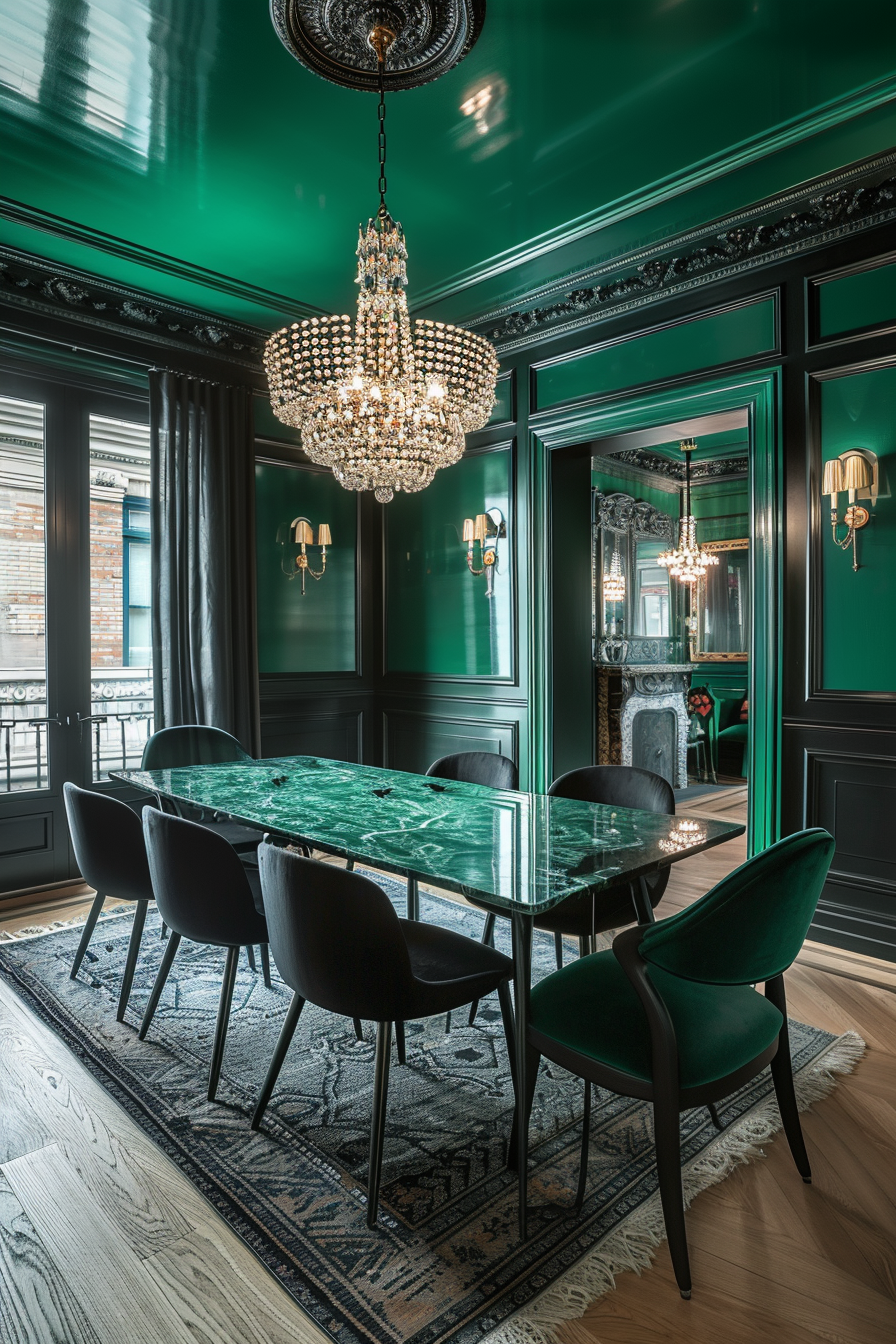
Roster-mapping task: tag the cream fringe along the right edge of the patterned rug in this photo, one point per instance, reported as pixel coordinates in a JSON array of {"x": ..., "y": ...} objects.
[{"x": 633, "y": 1244}]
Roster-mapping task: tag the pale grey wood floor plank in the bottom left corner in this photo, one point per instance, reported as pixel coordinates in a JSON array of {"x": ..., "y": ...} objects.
[{"x": 37, "y": 1303}]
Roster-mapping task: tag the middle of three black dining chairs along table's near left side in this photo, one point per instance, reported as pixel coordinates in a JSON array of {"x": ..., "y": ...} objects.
[{"x": 205, "y": 894}]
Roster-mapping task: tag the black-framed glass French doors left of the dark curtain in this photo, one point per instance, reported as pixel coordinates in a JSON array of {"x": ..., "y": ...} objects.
[{"x": 76, "y": 679}]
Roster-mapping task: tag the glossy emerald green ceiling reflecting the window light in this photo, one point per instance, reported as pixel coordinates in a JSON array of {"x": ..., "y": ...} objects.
[{"x": 183, "y": 131}]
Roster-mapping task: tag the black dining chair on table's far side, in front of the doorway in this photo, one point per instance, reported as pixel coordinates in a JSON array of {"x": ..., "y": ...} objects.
[{"x": 586, "y": 916}]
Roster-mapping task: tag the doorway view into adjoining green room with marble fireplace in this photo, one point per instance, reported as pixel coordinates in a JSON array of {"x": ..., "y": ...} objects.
[{"x": 672, "y": 659}]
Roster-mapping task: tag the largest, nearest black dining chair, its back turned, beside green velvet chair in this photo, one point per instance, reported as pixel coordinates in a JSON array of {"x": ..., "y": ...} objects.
[{"x": 339, "y": 944}]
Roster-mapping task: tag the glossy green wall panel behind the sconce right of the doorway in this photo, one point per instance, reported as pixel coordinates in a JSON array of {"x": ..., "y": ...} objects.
[{"x": 858, "y": 626}]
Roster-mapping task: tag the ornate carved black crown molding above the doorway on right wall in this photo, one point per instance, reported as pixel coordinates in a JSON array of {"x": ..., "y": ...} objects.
[{"x": 812, "y": 217}]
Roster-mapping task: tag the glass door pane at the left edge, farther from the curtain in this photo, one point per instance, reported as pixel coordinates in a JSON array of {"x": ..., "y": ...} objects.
[{"x": 24, "y": 576}]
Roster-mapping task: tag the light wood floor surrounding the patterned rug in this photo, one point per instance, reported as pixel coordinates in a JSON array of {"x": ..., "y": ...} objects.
[{"x": 103, "y": 1241}]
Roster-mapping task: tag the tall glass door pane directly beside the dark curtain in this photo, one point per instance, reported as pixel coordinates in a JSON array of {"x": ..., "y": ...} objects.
[{"x": 120, "y": 595}]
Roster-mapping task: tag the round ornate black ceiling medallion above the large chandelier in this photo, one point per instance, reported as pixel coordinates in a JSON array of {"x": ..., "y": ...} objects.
[{"x": 332, "y": 38}]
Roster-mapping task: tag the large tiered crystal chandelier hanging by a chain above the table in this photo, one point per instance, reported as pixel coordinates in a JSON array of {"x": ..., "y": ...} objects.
[{"x": 384, "y": 405}]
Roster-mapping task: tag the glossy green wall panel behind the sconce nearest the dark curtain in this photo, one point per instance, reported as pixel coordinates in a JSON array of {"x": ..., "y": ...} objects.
[{"x": 312, "y": 634}]
